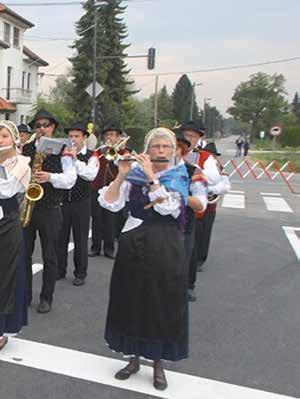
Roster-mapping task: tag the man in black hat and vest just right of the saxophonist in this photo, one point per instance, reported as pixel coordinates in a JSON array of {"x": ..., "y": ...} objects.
[{"x": 76, "y": 208}]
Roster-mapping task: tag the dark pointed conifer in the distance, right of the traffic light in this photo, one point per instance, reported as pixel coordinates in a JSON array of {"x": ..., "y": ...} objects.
[{"x": 182, "y": 97}]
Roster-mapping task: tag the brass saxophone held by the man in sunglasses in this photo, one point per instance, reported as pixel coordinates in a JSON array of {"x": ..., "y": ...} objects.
[{"x": 34, "y": 192}]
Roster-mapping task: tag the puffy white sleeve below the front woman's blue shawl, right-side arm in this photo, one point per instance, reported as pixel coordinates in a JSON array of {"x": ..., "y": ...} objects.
[{"x": 171, "y": 204}]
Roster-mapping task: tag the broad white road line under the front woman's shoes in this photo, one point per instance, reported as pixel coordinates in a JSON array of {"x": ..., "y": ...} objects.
[{"x": 101, "y": 370}]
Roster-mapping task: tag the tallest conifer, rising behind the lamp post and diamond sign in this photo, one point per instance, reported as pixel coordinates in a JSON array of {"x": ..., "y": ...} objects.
[{"x": 112, "y": 74}]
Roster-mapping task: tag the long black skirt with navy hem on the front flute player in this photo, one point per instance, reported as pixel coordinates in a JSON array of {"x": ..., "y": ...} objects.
[{"x": 148, "y": 312}]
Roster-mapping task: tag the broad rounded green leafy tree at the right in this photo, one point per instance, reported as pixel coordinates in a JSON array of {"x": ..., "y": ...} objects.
[{"x": 260, "y": 101}]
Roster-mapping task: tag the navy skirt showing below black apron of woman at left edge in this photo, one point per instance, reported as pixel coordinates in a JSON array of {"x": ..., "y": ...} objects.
[{"x": 12, "y": 324}]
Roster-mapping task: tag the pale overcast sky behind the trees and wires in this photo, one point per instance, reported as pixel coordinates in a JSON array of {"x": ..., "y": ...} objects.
[{"x": 188, "y": 35}]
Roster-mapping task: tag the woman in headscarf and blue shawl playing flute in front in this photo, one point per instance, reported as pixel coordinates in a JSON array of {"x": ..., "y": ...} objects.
[{"x": 148, "y": 312}]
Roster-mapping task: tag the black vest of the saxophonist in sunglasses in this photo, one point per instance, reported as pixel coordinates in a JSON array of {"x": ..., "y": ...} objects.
[{"x": 52, "y": 163}]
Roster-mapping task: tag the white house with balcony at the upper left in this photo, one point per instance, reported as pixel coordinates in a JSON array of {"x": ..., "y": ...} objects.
[{"x": 19, "y": 68}]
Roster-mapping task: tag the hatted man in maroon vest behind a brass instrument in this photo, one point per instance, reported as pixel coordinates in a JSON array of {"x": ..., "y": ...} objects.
[{"x": 104, "y": 221}]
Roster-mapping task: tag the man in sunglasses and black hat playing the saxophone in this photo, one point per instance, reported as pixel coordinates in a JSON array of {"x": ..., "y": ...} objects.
[{"x": 58, "y": 173}]
